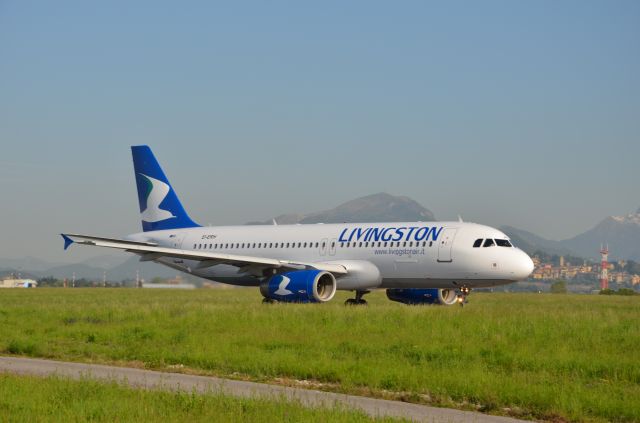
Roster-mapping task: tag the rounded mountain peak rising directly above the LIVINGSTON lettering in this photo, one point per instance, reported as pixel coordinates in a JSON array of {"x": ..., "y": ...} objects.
[{"x": 380, "y": 207}]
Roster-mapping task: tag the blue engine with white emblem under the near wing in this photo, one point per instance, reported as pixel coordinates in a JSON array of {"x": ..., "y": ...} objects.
[{"x": 300, "y": 286}]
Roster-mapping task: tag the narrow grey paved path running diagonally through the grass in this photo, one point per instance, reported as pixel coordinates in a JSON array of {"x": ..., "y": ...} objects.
[{"x": 176, "y": 381}]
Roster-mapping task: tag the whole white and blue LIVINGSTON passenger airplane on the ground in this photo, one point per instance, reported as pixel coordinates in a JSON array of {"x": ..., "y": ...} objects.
[{"x": 416, "y": 262}]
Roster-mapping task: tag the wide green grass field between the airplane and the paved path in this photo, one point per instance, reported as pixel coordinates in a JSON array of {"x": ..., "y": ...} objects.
[{"x": 553, "y": 357}]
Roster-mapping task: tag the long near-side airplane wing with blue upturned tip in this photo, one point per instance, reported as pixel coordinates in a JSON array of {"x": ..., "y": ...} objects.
[{"x": 151, "y": 251}]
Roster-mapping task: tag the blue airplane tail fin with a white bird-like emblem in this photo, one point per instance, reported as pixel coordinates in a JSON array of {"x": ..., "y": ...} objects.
[{"x": 159, "y": 205}]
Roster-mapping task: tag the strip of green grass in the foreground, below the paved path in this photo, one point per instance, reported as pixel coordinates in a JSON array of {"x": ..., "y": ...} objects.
[{"x": 31, "y": 399}]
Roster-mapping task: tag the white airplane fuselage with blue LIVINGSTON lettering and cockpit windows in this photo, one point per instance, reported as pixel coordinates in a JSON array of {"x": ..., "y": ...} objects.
[{"x": 407, "y": 254}]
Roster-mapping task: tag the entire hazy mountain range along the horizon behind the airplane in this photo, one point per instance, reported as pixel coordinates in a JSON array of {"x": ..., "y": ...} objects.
[{"x": 621, "y": 233}]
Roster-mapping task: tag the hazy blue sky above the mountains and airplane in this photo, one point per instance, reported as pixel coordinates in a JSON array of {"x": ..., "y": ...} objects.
[{"x": 508, "y": 113}]
